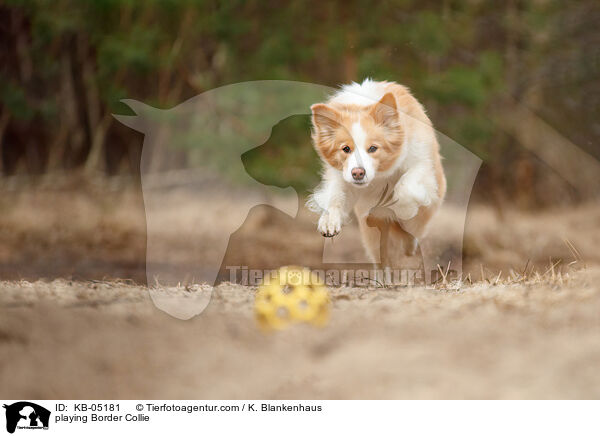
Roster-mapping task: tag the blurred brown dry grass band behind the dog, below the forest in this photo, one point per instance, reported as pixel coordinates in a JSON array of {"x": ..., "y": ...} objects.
[{"x": 95, "y": 234}]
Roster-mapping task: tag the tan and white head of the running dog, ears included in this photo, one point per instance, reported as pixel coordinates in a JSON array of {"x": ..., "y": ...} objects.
[{"x": 359, "y": 141}]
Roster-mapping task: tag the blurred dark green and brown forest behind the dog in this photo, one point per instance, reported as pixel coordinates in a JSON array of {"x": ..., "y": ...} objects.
[{"x": 484, "y": 70}]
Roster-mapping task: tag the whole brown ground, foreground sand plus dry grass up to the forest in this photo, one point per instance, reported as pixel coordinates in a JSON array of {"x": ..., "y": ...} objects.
[{"x": 76, "y": 320}]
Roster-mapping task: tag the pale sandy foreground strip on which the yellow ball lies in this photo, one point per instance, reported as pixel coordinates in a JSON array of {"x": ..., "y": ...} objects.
[{"x": 535, "y": 339}]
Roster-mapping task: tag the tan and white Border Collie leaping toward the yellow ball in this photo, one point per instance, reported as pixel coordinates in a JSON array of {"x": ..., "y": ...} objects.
[{"x": 381, "y": 159}]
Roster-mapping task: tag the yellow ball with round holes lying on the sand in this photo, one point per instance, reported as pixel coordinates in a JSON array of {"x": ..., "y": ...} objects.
[{"x": 291, "y": 295}]
